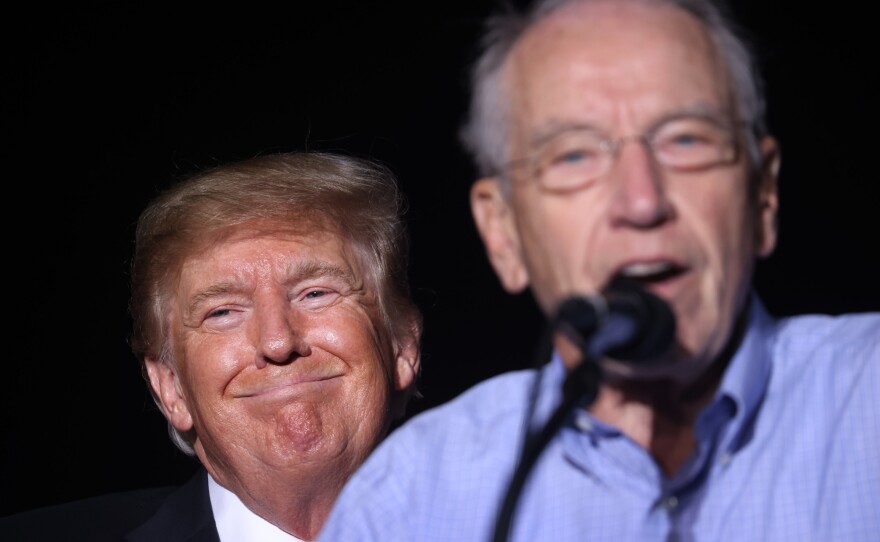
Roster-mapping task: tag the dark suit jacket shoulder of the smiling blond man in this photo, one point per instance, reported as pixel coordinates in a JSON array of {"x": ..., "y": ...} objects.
[{"x": 166, "y": 514}]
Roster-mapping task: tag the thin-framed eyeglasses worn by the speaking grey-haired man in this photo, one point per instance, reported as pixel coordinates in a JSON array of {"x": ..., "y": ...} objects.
[{"x": 576, "y": 157}]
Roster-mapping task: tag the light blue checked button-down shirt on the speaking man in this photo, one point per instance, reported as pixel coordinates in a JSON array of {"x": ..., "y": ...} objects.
[{"x": 789, "y": 450}]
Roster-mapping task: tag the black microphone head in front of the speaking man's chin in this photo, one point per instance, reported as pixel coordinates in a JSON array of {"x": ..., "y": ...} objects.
[{"x": 624, "y": 322}]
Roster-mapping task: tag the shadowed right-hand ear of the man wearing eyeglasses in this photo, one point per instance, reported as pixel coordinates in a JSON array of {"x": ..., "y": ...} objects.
[{"x": 767, "y": 198}]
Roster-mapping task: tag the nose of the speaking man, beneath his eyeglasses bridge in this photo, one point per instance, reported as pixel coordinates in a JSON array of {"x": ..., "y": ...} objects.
[{"x": 640, "y": 197}]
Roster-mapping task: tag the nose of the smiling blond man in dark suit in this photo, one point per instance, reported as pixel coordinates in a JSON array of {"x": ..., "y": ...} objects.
[{"x": 281, "y": 335}]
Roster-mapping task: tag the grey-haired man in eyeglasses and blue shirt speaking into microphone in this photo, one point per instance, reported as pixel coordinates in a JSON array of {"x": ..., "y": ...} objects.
[{"x": 624, "y": 141}]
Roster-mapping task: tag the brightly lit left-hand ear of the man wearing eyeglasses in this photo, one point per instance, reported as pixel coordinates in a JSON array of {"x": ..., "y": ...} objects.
[{"x": 495, "y": 223}]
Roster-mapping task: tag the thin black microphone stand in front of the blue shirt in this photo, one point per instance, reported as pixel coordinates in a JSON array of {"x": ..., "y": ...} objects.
[{"x": 580, "y": 387}]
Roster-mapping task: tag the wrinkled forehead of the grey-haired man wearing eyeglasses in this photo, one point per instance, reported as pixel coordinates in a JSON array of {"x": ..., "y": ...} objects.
[{"x": 616, "y": 61}]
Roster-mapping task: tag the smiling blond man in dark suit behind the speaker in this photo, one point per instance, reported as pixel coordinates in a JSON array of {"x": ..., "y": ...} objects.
[{"x": 271, "y": 310}]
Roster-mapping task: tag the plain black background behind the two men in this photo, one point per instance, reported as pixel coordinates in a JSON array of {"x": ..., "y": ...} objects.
[{"x": 107, "y": 103}]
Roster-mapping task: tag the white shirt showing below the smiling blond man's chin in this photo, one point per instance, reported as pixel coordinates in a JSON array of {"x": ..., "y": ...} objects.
[{"x": 237, "y": 523}]
